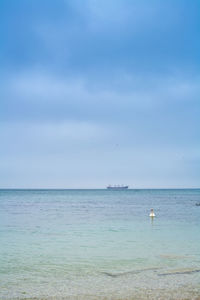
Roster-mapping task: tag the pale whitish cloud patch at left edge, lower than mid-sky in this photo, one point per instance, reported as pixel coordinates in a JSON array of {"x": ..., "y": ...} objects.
[{"x": 27, "y": 138}]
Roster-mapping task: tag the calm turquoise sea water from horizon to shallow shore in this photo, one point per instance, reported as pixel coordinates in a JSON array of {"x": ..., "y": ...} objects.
[{"x": 99, "y": 244}]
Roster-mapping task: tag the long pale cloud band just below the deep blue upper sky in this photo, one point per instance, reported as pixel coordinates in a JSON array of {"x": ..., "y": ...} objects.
[{"x": 39, "y": 87}]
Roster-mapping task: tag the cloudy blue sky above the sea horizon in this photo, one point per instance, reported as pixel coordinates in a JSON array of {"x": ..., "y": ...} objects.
[{"x": 98, "y": 92}]
